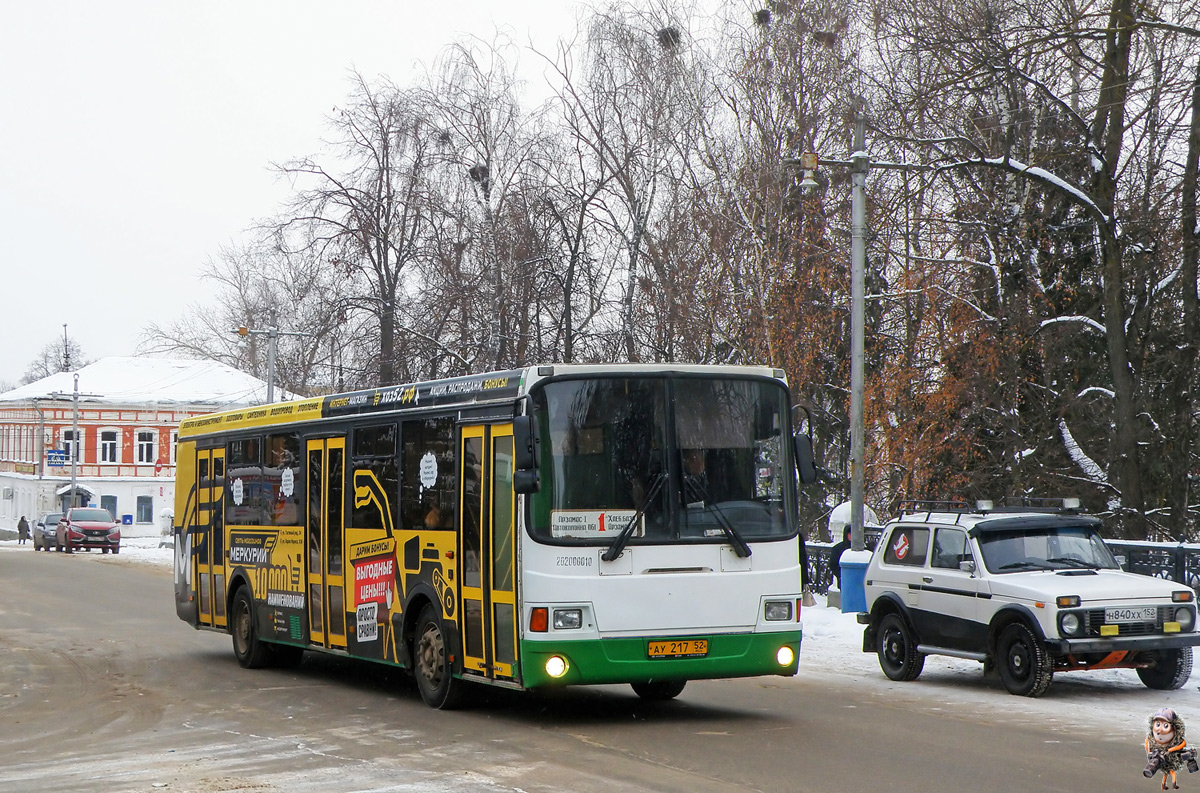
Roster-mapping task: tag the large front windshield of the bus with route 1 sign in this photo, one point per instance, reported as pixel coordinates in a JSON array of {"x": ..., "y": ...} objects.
[{"x": 683, "y": 459}]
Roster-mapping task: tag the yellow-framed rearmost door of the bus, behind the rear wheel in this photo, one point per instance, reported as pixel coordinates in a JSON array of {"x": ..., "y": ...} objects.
[{"x": 209, "y": 544}]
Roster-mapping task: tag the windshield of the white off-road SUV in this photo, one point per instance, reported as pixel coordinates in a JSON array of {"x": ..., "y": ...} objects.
[{"x": 1046, "y": 549}]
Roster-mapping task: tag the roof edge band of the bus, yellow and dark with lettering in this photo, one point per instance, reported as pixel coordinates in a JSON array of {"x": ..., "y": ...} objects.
[{"x": 458, "y": 392}]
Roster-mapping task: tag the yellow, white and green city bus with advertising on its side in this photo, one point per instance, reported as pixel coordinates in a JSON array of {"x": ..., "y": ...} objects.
[{"x": 542, "y": 527}]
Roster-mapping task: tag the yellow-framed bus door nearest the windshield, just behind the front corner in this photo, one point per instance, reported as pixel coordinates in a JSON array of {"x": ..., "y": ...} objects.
[{"x": 487, "y": 552}]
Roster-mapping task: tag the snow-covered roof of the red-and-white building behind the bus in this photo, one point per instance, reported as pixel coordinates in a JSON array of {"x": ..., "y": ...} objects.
[{"x": 153, "y": 381}]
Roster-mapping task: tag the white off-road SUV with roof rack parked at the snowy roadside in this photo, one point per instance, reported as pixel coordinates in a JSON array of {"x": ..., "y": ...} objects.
[{"x": 1025, "y": 591}]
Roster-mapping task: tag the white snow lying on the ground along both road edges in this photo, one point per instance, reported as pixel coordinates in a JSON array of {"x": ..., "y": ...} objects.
[{"x": 1114, "y": 704}]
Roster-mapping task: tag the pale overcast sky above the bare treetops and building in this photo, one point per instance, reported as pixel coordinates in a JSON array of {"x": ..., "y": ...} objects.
[{"x": 136, "y": 139}]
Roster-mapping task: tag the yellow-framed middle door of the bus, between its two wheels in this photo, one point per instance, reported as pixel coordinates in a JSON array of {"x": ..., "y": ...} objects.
[{"x": 327, "y": 580}]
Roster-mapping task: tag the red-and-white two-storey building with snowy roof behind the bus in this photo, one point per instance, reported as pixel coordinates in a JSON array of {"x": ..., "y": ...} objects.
[{"x": 119, "y": 435}]
